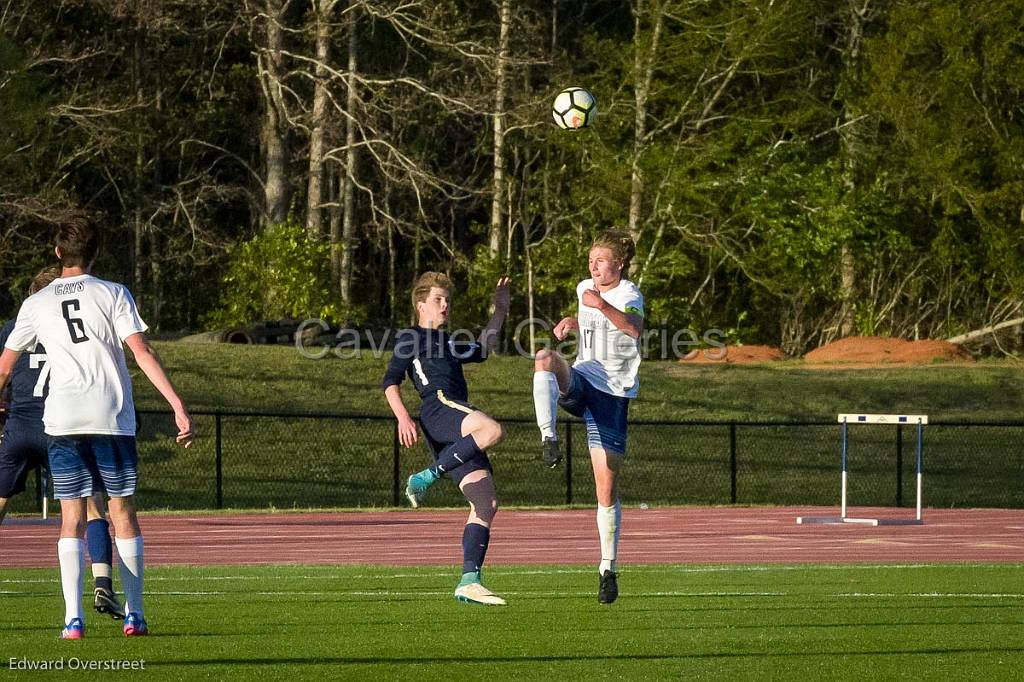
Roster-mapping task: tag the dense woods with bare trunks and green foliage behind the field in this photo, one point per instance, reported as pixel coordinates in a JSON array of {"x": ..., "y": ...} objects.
[{"x": 793, "y": 170}]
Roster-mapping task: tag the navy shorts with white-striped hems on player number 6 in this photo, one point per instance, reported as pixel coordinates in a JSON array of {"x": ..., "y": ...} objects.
[{"x": 82, "y": 465}]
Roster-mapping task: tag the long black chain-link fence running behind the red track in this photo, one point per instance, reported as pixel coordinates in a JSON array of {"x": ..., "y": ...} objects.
[{"x": 244, "y": 460}]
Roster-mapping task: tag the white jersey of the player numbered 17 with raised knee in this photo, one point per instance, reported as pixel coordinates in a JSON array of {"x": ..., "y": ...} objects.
[{"x": 609, "y": 358}]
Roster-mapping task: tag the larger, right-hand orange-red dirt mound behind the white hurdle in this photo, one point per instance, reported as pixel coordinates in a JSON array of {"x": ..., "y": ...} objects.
[{"x": 878, "y": 350}]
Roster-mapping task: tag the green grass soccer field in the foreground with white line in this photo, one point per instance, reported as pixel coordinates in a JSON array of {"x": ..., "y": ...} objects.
[{"x": 737, "y": 623}]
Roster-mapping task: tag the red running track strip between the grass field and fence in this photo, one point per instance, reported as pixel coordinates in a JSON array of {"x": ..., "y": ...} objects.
[{"x": 650, "y": 536}]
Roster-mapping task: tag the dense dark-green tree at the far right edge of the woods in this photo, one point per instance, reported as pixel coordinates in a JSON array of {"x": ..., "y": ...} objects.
[{"x": 948, "y": 83}]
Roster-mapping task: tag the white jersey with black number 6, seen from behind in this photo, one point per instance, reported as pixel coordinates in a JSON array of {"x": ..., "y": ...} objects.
[{"x": 82, "y": 322}]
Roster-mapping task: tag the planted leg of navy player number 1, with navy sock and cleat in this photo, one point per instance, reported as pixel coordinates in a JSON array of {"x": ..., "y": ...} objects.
[{"x": 479, "y": 487}]
